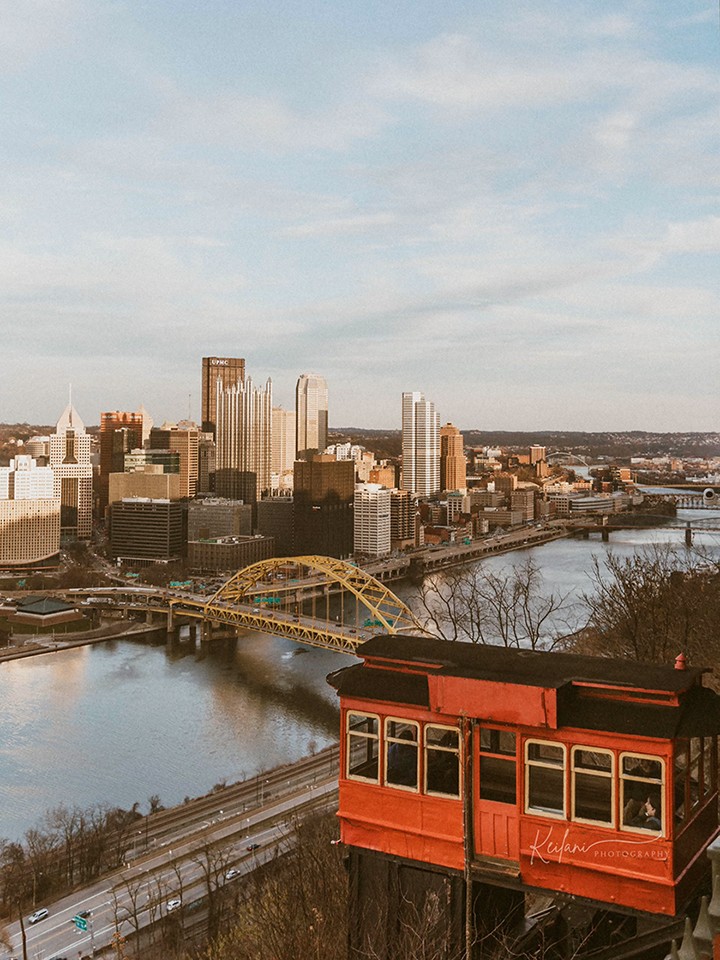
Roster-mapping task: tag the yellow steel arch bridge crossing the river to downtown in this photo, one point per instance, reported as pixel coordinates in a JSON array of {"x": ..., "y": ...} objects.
[{"x": 314, "y": 600}]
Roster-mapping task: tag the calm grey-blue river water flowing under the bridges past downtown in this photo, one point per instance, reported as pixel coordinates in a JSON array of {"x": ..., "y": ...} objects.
[{"x": 119, "y": 722}]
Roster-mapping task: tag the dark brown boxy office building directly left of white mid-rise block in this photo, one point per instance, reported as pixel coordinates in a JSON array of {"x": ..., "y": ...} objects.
[{"x": 324, "y": 489}]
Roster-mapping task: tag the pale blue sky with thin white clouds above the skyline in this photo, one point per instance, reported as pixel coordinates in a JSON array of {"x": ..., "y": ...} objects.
[{"x": 509, "y": 206}]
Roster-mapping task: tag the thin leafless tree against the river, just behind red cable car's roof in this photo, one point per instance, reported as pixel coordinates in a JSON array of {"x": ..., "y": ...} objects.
[{"x": 510, "y": 608}]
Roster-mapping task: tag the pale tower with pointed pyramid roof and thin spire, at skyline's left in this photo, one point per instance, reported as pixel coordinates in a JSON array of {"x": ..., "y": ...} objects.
[{"x": 69, "y": 455}]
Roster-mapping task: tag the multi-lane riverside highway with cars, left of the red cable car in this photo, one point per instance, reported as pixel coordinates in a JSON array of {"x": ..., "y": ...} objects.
[{"x": 183, "y": 854}]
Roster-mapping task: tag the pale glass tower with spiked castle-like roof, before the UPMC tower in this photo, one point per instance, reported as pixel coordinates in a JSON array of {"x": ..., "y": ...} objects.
[{"x": 243, "y": 440}]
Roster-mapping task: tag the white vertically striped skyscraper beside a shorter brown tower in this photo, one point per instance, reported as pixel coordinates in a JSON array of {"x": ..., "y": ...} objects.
[{"x": 420, "y": 445}]
